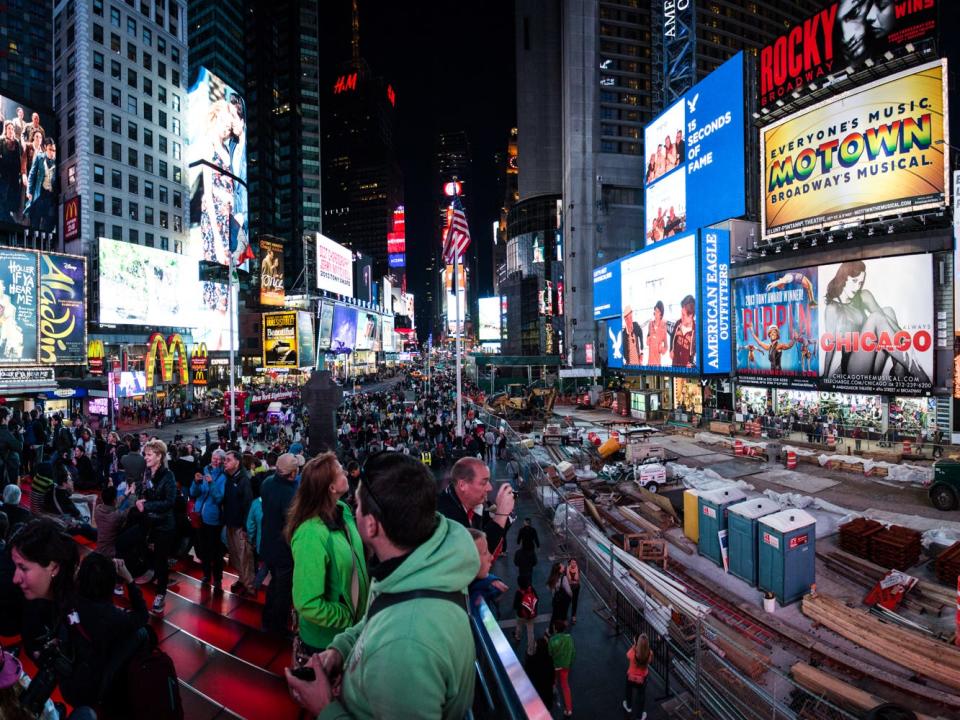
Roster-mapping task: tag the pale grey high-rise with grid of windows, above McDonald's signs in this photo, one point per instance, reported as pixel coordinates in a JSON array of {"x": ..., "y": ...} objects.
[{"x": 120, "y": 97}]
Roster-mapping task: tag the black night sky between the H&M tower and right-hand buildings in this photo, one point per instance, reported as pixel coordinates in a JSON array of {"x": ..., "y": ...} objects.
[{"x": 452, "y": 65}]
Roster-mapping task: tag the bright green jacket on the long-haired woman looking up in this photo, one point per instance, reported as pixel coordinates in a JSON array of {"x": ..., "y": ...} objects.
[{"x": 321, "y": 589}]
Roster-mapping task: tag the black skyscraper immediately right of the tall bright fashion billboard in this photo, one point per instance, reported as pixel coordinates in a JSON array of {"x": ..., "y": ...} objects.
[{"x": 283, "y": 105}]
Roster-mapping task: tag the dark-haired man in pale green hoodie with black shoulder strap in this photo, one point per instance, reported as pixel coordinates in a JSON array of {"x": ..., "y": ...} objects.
[{"x": 409, "y": 657}]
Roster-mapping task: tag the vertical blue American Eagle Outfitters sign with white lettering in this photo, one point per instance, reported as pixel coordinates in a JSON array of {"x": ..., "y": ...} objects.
[{"x": 715, "y": 299}]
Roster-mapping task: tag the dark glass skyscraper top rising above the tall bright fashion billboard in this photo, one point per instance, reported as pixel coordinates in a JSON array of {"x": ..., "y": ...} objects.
[{"x": 216, "y": 39}]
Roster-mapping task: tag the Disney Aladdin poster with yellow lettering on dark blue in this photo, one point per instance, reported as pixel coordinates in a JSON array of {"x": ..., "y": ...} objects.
[{"x": 63, "y": 309}]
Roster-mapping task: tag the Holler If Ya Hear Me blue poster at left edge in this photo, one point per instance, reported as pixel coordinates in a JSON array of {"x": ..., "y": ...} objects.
[{"x": 18, "y": 306}]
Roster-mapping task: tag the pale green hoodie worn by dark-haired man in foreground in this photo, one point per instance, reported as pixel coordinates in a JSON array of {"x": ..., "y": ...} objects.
[{"x": 414, "y": 659}]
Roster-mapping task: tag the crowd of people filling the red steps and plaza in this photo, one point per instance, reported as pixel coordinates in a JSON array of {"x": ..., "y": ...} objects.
[{"x": 370, "y": 564}]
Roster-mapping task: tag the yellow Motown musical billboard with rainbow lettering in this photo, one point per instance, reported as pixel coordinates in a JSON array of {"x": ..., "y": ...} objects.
[{"x": 865, "y": 154}]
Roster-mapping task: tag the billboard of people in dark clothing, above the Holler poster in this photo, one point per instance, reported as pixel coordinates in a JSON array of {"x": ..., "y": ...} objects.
[{"x": 29, "y": 180}]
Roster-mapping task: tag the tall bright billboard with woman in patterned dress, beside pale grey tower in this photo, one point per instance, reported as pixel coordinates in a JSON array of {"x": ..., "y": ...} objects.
[{"x": 216, "y": 153}]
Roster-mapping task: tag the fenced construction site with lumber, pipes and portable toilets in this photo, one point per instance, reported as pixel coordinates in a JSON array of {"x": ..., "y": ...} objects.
[{"x": 778, "y": 581}]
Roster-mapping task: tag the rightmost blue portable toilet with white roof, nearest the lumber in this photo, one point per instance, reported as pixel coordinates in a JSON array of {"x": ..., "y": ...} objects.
[{"x": 787, "y": 554}]
